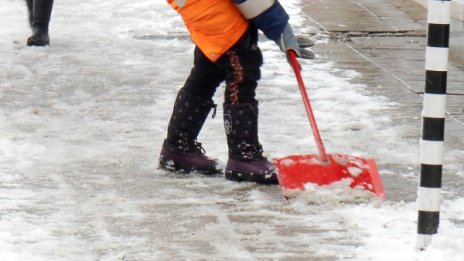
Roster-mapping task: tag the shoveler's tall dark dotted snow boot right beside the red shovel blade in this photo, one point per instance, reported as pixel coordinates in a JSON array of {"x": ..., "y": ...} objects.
[{"x": 246, "y": 161}]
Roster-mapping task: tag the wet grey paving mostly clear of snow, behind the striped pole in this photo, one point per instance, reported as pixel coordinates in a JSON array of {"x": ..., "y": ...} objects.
[{"x": 385, "y": 41}]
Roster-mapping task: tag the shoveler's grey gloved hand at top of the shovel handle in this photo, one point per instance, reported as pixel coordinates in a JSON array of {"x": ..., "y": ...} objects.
[{"x": 288, "y": 41}]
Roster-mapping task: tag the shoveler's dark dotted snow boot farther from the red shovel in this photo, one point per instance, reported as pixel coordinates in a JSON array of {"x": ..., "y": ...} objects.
[{"x": 181, "y": 152}]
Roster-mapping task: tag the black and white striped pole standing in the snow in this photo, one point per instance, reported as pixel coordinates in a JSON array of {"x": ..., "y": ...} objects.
[{"x": 433, "y": 121}]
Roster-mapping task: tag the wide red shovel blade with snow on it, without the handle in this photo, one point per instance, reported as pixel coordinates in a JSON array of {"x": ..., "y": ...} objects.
[{"x": 295, "y": 171}]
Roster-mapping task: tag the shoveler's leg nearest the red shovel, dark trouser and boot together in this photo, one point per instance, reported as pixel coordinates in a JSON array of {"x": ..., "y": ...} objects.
[{"x": 246, "y": 161}]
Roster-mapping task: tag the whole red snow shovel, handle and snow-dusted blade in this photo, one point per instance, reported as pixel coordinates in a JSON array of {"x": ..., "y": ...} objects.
[{"x": 295, "y": 171}]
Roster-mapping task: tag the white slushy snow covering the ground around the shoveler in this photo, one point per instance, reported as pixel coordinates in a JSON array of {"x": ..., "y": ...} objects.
[{"x": 82, "y": 122}]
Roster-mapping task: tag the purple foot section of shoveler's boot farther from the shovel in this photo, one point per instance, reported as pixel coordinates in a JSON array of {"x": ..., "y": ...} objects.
[{"x": 187, "y": 159}]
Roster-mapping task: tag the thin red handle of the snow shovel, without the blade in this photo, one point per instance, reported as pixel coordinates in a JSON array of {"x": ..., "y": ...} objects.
[{"x": 296, "y": 68}]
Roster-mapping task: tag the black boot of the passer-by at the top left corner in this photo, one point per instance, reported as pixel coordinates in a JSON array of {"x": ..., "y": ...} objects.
[{"x": 39, "y": 18}]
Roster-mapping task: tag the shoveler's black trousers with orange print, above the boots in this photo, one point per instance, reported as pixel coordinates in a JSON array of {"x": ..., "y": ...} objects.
[{"x": 239, "y": 67}]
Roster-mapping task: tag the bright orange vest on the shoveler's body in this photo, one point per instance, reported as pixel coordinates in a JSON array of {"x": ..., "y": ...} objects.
[{"x": 214, "y": 25}]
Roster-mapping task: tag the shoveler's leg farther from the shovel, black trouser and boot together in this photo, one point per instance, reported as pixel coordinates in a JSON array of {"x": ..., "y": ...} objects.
[{"x": 181, "y": 151}]
